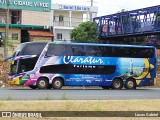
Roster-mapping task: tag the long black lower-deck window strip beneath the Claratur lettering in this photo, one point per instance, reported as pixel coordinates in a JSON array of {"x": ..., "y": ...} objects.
[{"x": 78, "y": 69}]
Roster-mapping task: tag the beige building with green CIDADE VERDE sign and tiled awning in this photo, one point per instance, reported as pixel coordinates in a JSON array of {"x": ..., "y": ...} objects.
[{"x": 29, "y": 20}]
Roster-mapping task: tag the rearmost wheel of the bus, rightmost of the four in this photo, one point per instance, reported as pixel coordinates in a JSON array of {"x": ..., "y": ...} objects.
[{"x": 130, "y": 84}]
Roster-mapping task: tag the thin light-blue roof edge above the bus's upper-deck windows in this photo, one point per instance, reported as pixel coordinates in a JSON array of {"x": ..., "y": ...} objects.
[{"x": 98, "y": 44}]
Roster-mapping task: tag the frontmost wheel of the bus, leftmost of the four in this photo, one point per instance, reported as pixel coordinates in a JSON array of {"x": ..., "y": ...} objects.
[{"x": 42, "y": 83}]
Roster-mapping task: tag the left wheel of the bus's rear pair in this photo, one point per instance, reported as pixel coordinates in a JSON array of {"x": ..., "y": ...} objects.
[{"x": 117, "y": 83}]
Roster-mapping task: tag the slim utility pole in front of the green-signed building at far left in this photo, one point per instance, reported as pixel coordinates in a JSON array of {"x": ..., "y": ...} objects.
[{"x": 7, "y": 30}]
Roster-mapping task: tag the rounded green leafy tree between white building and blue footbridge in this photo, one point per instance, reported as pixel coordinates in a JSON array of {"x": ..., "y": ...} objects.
[{"x": 85, "y": 32}]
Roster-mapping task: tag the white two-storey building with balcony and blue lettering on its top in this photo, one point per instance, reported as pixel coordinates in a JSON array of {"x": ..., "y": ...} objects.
[{"x": 66, "y": 17}]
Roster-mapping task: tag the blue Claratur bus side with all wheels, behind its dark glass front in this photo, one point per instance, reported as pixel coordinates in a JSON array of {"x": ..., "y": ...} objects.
[{"x": 89, "y": 64}]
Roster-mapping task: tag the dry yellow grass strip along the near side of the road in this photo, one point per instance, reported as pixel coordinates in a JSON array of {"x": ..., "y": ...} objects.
[{"x": 82, "y": 105}]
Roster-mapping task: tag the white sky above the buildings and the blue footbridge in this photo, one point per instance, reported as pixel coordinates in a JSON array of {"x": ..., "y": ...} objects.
[{"x": 106, "y": 7}]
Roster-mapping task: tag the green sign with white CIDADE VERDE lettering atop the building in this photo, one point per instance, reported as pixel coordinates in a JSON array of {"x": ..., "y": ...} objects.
[{"x": 35, "y": 5}]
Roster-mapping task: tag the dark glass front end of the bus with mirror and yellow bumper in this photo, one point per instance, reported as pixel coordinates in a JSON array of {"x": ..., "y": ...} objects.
[{"x": 24, "y": 60}]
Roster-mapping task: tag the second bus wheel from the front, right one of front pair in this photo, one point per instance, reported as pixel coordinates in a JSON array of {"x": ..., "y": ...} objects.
[{"x": 57, "y": 83}]
